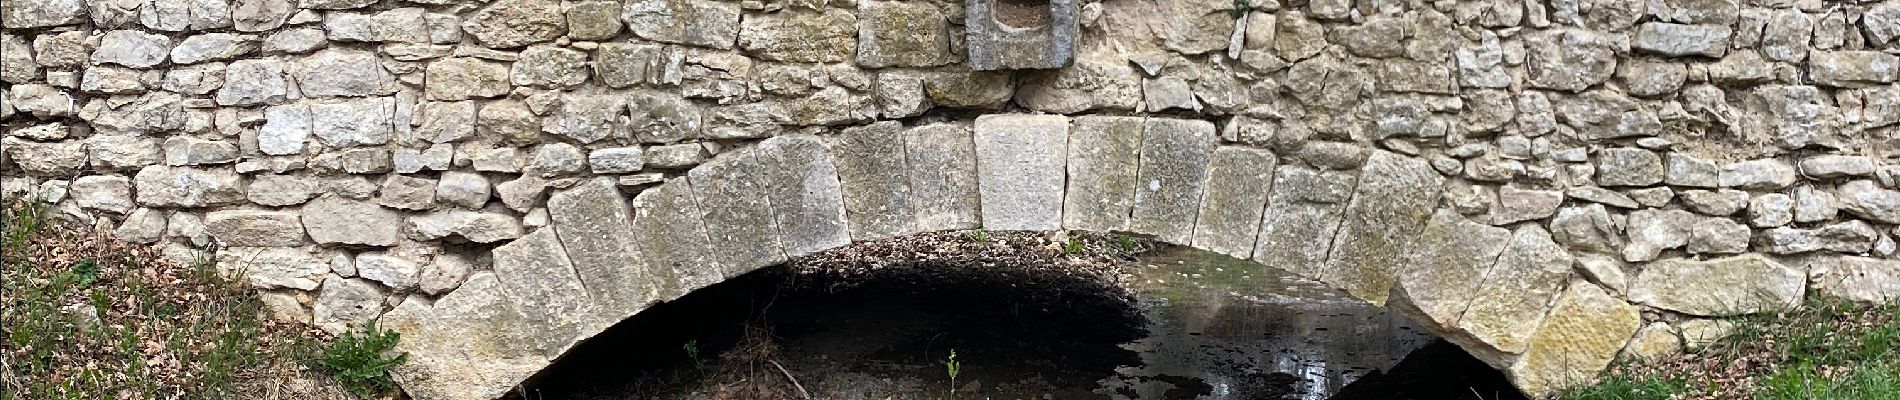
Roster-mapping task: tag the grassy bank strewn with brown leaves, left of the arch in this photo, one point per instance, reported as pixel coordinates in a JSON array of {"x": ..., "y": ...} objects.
[{"x": 88, "y": 318}]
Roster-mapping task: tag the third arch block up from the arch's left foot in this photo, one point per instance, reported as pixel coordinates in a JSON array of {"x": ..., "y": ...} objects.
[{"x": 598, "y": 232}]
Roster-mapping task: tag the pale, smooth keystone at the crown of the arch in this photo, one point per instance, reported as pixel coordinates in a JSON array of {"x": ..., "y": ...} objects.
[{"x": 1021, "y": 172}]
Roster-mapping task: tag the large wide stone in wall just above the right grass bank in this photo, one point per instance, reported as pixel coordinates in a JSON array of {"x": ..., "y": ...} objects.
[{"x": 1724, "y": 287}]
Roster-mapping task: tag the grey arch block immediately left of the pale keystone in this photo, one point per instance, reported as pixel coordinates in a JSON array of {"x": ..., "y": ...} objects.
[{"x": 943, "y": 177}]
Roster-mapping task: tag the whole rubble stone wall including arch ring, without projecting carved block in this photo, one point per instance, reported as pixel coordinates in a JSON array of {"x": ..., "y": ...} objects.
[{"x": 1551, "y": 185}]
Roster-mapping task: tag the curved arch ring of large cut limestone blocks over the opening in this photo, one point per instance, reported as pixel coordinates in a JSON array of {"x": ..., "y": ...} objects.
[{"x": 1375, "y": 232}]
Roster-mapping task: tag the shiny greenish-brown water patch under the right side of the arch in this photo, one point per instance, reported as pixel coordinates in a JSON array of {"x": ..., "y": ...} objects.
[{"x": 1228, "y": 329}]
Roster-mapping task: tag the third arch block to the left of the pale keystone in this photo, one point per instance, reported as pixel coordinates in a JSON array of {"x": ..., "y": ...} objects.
[{"x": 807, "y": 194}]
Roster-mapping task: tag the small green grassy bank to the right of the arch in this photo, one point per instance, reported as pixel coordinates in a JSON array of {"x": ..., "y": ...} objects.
[{"x": 1829, "y": 352}]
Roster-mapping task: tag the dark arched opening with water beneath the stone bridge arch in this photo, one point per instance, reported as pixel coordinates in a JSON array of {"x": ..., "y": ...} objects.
[{"x": 1033, "y": 316}]
